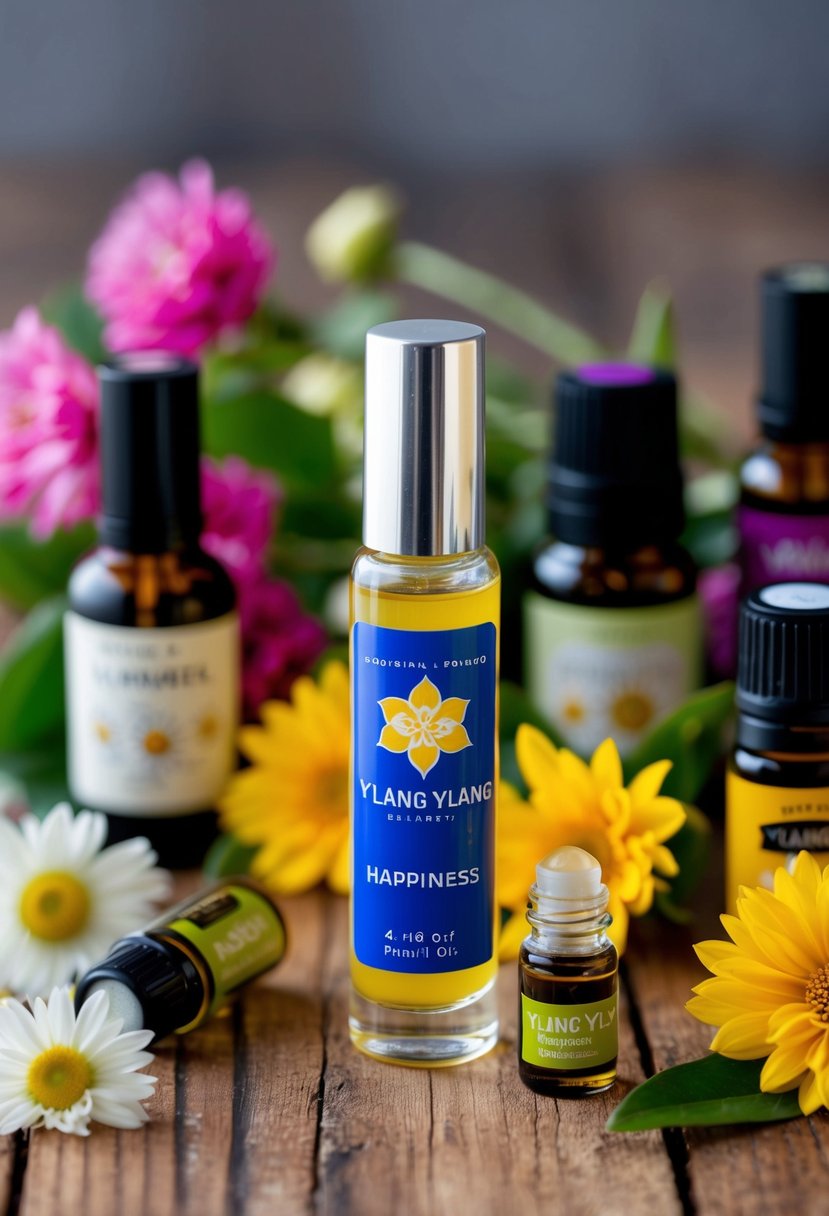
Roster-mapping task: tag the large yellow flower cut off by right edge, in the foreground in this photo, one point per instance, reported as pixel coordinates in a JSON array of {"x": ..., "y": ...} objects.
[{"x": 770, "y": 989}]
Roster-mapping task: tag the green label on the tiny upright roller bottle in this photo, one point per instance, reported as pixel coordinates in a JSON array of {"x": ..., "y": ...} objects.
[{"x": 569, "y": 1037}]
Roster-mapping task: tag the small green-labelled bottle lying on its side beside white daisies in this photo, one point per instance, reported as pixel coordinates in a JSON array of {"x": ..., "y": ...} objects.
[{"x": 179, "y": 971}]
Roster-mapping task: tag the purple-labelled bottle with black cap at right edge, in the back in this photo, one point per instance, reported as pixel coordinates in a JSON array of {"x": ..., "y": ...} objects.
[{"x": 785, "y": 509}]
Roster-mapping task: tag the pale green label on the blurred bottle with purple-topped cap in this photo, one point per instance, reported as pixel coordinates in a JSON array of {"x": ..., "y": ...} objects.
[{"x": 611, "y": 673}]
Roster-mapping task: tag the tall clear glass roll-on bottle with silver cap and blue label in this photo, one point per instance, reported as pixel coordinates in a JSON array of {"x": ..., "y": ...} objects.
[{"x": 425, "y": 668}]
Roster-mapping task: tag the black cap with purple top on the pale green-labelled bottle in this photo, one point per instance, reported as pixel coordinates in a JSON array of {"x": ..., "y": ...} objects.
[{"x": 616, "y": 476}]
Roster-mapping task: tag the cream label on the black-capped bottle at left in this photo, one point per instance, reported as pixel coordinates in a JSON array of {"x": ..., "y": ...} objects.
[{"x": 151, "y": 713}]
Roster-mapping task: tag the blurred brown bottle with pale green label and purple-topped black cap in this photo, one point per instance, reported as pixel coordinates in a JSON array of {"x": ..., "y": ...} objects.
[{"x": 612, "y": 624}]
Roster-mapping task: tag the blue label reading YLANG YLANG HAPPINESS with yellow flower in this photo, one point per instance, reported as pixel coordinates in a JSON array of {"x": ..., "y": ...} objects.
[{"x": 424, "y": 797}]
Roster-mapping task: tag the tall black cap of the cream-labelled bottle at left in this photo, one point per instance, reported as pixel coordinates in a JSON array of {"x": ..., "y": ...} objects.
[{"x": 150, "y": 453}]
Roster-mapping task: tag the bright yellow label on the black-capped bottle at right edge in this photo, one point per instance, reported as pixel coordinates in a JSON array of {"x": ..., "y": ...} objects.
[{"x": 766, "y": 827}]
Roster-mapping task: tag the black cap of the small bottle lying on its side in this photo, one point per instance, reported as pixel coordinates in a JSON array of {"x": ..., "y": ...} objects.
[{"x": 163, "y": 979}]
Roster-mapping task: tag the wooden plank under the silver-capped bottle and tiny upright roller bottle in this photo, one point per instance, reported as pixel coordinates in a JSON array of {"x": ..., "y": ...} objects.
[{"x": 473, "y": 1139}]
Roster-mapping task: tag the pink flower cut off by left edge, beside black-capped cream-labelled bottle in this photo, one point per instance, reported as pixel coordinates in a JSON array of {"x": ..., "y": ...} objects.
[{"x": 49, "y": 406}]
